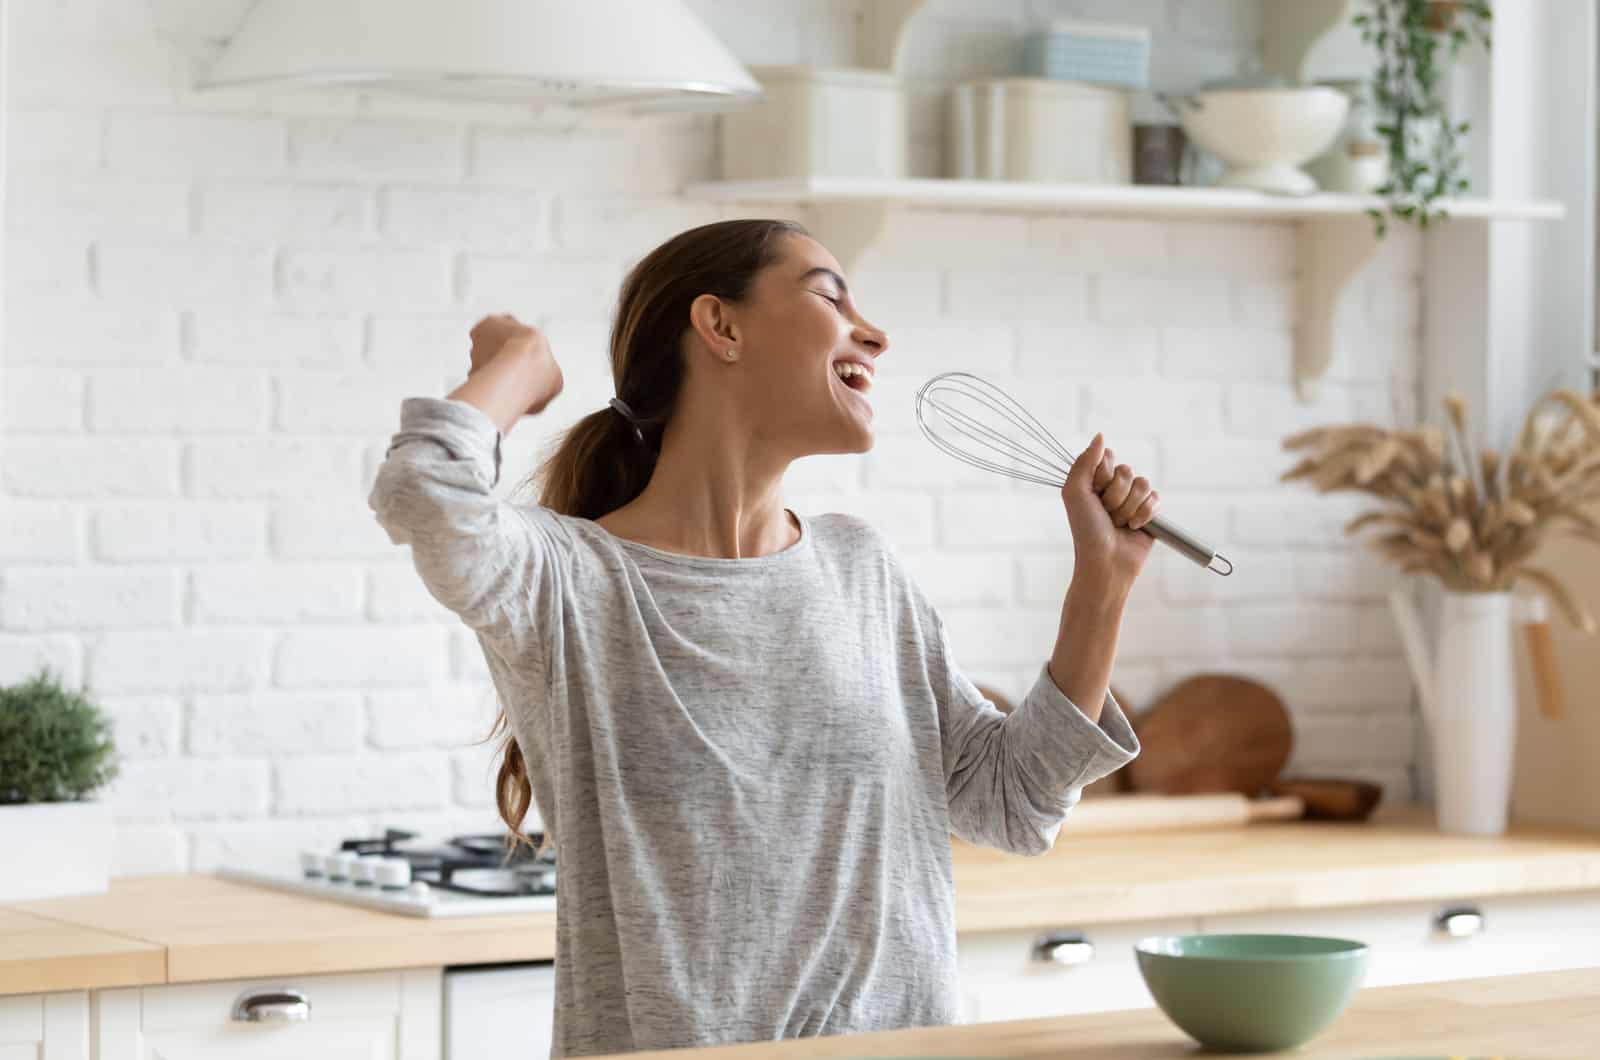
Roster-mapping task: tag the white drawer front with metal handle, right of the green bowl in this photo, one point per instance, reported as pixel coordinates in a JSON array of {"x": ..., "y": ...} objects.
[{"x": 1420, "y": 942}]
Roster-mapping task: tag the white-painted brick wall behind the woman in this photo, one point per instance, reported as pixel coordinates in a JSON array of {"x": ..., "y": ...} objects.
[{"x": 217, "y": 303}]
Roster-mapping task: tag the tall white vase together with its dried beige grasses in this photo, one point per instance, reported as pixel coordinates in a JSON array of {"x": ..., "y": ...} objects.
[{"x": 1473, "y": 521}]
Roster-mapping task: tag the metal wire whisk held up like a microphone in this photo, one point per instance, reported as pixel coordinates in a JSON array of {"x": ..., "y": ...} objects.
[{"x": 977, "y": 422}]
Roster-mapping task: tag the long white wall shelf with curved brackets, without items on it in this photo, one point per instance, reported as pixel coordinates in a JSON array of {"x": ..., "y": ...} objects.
[{"x": 1335, "y": 236}]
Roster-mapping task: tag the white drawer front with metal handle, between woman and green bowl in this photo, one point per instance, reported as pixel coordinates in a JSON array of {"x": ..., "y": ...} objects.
[{"x": 1007, "y": 978}]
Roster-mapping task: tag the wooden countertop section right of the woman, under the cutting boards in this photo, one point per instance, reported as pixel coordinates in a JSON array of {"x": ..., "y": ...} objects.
[{"x": 1396, "y": 857}]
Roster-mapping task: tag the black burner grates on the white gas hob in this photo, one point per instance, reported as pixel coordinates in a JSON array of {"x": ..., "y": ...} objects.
[{"x": 473, "y": 865}]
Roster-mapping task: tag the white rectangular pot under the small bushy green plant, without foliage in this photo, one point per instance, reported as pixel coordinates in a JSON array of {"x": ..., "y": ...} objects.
[{"x": 66, "y": 846}]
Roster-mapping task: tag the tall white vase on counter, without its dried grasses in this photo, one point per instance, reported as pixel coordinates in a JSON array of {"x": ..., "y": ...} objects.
[{"x": 1470, "y": 702}]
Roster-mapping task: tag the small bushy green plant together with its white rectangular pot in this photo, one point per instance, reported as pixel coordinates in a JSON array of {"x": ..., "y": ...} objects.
[{"x": 55, "y": 752}]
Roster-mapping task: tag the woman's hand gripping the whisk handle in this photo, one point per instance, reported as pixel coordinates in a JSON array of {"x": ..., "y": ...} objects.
[{"x": 1106, "y": 507}]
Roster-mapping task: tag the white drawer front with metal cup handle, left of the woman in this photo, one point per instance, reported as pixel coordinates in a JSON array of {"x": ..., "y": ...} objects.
[{"x": 369, "y": 1016}]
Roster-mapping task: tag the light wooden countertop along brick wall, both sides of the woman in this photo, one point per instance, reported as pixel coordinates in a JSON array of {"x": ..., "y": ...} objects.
[{"x": 194, "y": 928}]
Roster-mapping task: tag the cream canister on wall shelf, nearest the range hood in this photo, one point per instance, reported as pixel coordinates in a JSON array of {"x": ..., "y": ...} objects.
[{"x": 818, "y": 122}]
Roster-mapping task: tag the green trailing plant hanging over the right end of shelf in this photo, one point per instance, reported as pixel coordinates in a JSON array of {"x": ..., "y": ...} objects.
[{"x": 1415, "y": 42}]
